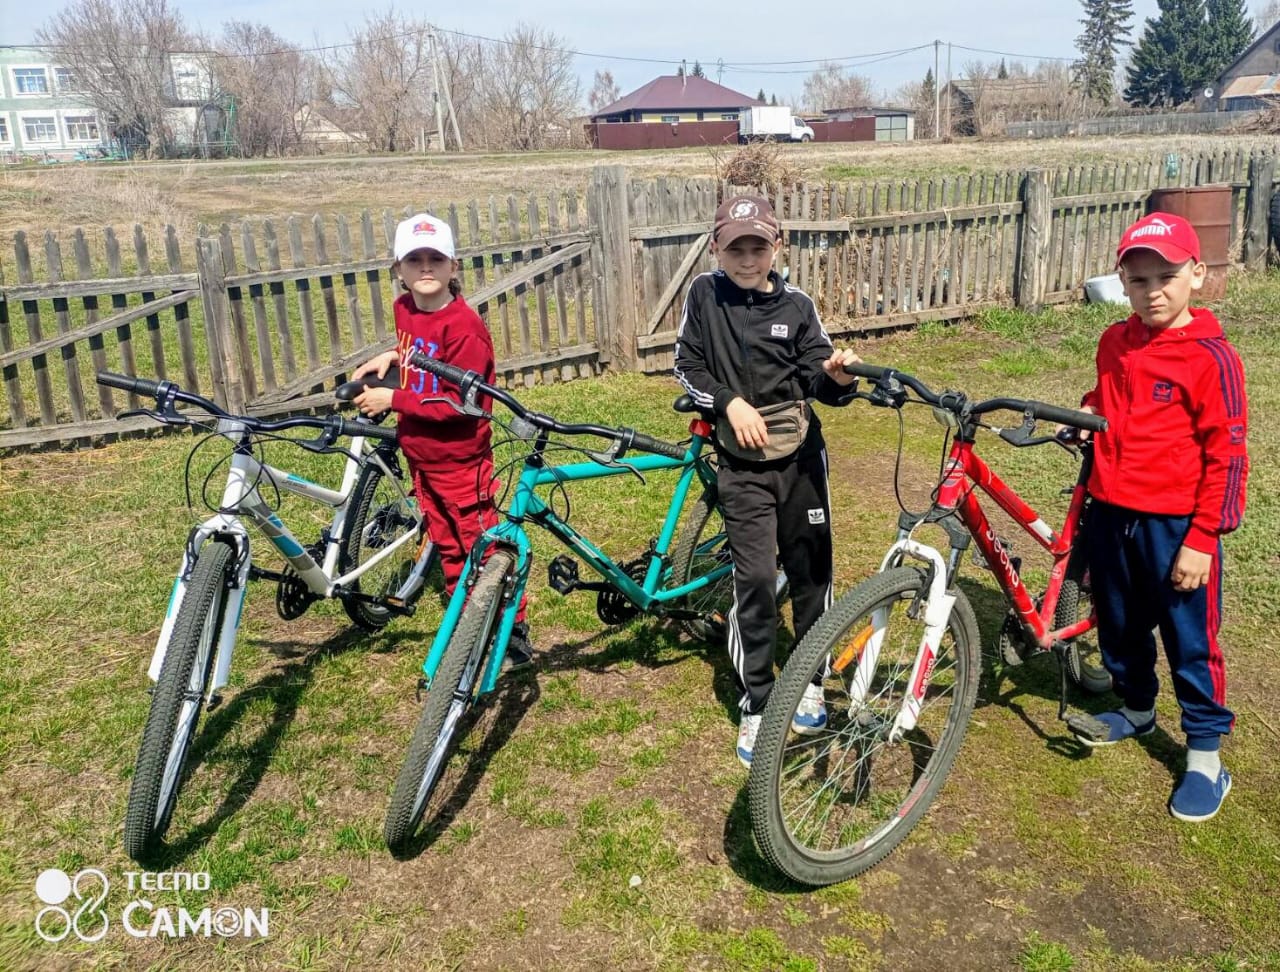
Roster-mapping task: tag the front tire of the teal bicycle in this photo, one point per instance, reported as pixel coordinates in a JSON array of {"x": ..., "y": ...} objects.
[{"x": 450, "y": 697}]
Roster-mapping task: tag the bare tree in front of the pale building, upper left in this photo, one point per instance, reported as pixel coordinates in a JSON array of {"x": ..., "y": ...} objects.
[{"x": 120, "y": 54}]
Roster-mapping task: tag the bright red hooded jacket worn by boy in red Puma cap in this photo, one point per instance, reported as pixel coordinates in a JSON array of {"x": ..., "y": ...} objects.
[{"x": 1177, "y": 423}]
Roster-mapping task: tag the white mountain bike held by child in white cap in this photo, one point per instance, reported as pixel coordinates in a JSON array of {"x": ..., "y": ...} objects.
[{"x": 373, "y": 558}]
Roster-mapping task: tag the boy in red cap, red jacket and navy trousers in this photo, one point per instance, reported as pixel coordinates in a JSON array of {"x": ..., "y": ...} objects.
[{"x": 1168, "y": 483}]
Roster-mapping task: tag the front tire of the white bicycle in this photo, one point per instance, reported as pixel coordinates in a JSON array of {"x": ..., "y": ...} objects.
[{"x": 177, "y": 702}]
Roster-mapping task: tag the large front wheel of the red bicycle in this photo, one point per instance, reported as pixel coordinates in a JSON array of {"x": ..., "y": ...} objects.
[{"x": 876, "y": 800}]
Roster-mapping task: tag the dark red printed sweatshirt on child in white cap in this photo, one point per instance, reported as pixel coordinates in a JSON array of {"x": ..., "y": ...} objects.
[{"x": 435, "y": 432}]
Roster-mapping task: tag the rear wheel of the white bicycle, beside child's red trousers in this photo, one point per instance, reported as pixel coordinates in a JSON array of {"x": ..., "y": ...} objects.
[{"x": 380, "y": 515}]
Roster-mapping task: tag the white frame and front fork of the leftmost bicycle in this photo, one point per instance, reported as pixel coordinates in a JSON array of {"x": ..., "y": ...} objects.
[{"x": 243, "y": 501}]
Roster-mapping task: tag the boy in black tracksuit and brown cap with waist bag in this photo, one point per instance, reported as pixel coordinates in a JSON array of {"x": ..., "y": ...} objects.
[{"x": 748, "y": 341}]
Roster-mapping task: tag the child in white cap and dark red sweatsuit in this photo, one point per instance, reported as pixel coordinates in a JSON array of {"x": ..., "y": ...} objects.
[{"x": 449, "y": 454}]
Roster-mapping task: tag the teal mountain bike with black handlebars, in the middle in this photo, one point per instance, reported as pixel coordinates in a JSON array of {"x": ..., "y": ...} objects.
[{"x": 688, "y": 579}]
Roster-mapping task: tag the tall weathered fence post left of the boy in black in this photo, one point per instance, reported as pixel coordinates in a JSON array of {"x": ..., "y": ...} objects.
[{"x": 611, "y": 262}]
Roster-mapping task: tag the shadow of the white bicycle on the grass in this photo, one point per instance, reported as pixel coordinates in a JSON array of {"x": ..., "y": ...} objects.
[{"x": 284, "y": 688}]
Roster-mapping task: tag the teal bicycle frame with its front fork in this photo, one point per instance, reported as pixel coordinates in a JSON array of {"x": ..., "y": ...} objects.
[{"x": 527, "y": 505}]
